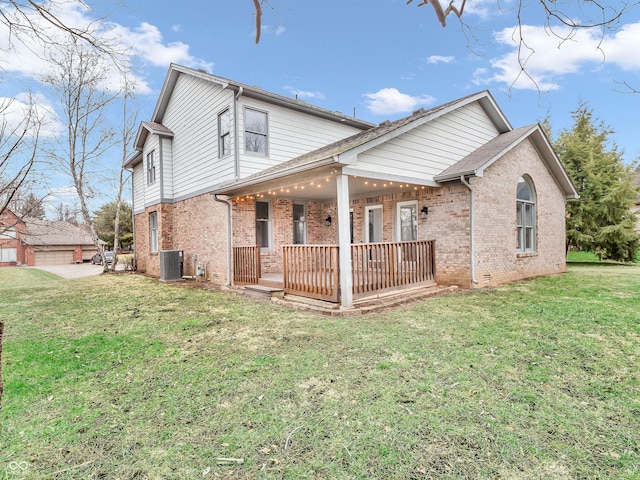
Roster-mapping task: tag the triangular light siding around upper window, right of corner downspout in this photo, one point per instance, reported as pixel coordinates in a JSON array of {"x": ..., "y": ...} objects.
[{"x": 290, "y": 134}]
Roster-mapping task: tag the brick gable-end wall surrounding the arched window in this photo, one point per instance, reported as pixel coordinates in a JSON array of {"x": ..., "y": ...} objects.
[{"x": 496, "y": 258}]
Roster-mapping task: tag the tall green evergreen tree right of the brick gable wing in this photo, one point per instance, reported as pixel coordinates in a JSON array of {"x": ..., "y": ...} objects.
[{"x": 601, "y": 220}]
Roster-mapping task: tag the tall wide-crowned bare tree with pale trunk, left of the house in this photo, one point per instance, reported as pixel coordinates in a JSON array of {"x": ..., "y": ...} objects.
[{"x": 80, "y": 84}]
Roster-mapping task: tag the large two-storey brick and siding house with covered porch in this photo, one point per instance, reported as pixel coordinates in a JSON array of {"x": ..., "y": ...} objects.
[{"x": 248, "y": 185}]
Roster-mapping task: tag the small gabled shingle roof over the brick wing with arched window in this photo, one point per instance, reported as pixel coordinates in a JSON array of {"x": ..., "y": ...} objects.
[{"x": 476, "y": 162}]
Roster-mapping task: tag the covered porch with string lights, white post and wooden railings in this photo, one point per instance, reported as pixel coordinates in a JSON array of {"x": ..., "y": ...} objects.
[{"x": 331, "y": 236}]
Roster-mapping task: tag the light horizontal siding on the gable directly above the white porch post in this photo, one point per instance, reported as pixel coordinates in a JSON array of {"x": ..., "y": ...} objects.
[{"x": 427, "y": 150}]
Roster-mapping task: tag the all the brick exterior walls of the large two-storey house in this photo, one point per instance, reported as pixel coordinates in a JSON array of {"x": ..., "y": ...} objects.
[{"x": 198, "y": 226}]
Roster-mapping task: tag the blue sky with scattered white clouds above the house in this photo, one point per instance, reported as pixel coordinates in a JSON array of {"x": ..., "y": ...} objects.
[{"x": 380, "y": 59}]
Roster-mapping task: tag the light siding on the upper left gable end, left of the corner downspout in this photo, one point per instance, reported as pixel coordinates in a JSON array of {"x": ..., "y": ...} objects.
[{"x": 192, "y": 115}]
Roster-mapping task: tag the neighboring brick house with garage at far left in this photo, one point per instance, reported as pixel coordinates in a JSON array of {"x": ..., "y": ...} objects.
[{"x": 37, "y": 242}]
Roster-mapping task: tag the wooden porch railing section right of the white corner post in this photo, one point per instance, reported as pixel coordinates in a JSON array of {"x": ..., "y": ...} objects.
[{"x": 384, "y": 266}]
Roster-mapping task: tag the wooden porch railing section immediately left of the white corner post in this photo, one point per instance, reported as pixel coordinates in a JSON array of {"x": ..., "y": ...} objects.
[{"x": 311, "y": 271}]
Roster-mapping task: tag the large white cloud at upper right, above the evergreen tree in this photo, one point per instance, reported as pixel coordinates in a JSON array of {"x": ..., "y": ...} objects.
[{"x": 547, "y": 56}]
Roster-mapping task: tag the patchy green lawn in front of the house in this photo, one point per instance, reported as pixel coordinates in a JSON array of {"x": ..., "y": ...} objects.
[{"x": 123, "y": 377}]
